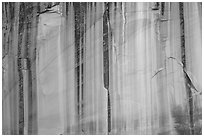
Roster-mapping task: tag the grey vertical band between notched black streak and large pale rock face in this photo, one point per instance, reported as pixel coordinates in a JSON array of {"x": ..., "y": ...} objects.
[{"x": 32, "y": 129}]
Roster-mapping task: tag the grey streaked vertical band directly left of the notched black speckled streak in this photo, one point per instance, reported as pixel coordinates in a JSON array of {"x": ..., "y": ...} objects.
[{"x": 13, "y": 75}]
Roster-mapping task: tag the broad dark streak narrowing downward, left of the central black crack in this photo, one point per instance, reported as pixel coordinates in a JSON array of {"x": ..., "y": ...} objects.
[{"x": 80, "y": 13}]
